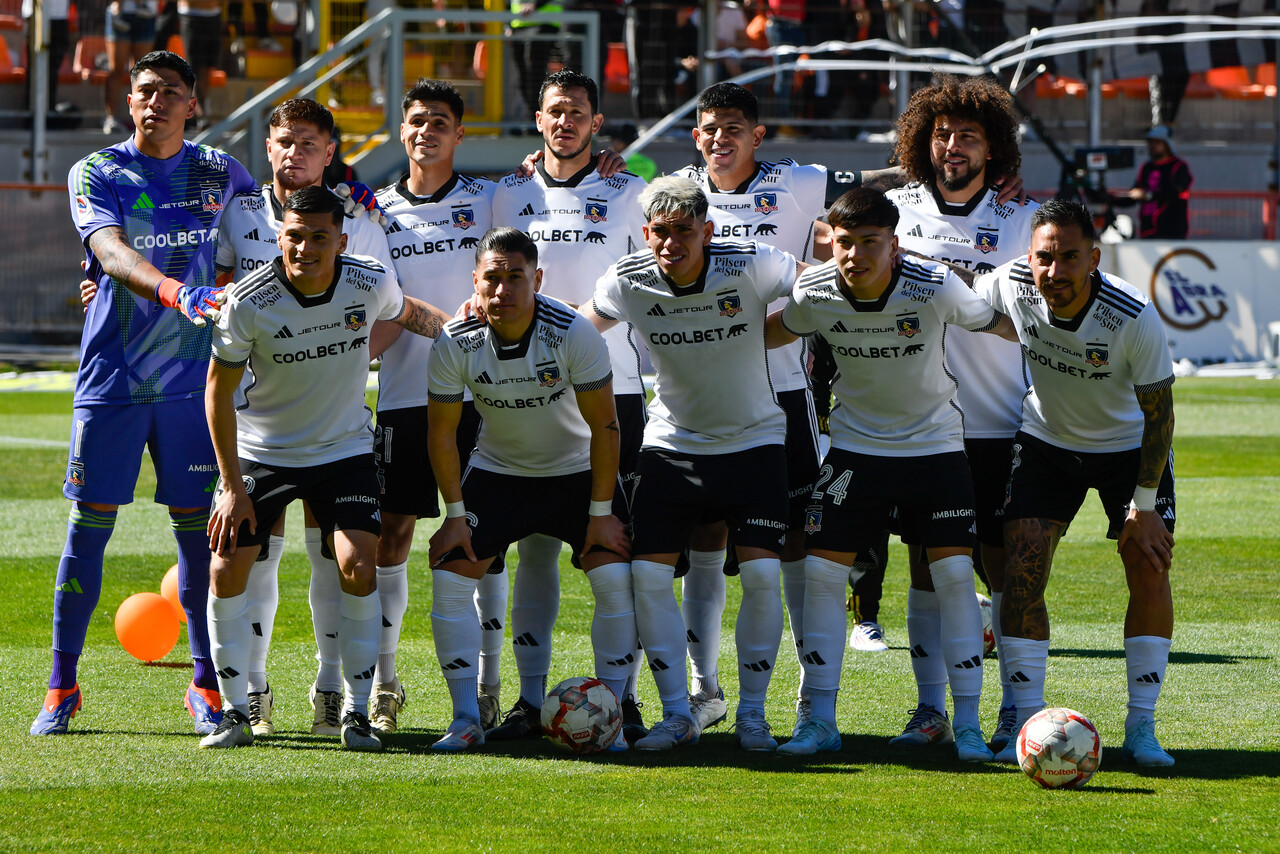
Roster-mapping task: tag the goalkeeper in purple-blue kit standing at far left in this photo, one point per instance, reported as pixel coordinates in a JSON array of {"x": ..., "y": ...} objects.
[{"x": 148, "y": 212}]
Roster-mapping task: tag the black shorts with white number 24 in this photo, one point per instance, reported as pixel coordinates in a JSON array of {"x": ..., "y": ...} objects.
[{"x": 857, "y": 492}]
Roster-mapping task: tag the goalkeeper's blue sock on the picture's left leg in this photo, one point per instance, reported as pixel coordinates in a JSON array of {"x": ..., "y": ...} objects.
[{"x": 77, "y": 590}]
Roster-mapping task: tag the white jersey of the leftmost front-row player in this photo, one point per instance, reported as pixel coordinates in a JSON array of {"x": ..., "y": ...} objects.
[{"x": 308, "y": 362}]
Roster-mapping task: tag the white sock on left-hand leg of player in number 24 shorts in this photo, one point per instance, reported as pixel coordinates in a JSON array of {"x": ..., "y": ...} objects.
[{"x": 825, "y": 634}]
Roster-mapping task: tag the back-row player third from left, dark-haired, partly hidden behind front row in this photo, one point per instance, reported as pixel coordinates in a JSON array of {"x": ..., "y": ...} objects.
[{"x": 437, "y": 218}]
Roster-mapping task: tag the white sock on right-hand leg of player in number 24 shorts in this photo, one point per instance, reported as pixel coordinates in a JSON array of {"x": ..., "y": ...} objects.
[{"x": 961, "y": 620}]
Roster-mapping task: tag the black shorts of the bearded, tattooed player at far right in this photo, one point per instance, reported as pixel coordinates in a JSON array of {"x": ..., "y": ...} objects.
[{"x": 1050, "y": 483}]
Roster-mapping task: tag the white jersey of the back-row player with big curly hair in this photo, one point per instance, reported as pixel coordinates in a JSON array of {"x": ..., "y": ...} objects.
[{"x": 979, "y": 236}]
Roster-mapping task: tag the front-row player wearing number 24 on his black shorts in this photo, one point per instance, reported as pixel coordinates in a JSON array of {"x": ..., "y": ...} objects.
[{"x": 886, "y": 323}]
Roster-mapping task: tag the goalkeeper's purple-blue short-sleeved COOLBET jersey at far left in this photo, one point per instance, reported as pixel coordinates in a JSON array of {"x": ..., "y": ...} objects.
[{"x": 134, "y": 350}]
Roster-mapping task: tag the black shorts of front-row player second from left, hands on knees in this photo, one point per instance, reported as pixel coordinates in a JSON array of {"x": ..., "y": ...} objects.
[{"x": 505, "y": 509}]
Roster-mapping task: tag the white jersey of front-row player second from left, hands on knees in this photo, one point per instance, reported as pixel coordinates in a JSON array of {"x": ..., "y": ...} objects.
[{"x": 527, "y": 395}]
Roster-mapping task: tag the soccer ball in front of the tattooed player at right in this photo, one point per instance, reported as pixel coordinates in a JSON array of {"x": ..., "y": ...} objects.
[{"x": 1059, "y": 748}]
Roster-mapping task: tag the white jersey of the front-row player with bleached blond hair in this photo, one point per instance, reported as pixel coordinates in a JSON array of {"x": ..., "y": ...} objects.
[{"x": 712, "y": 391}]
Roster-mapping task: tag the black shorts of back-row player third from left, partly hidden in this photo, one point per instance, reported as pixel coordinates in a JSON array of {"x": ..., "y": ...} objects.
[{"x": 405, "y": 473}]
